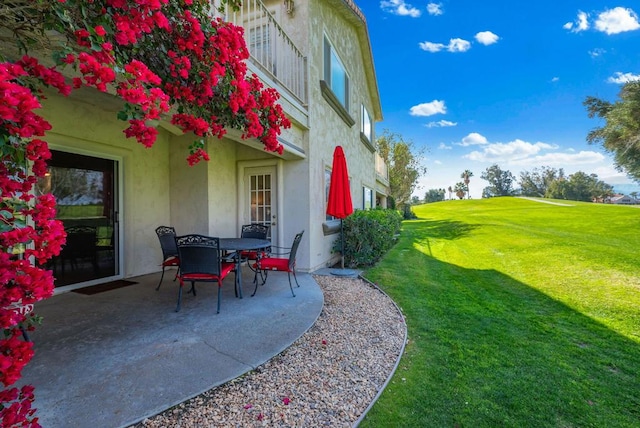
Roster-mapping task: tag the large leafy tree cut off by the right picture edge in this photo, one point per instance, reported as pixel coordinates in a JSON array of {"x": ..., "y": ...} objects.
[{"x": 621, "y": 133}]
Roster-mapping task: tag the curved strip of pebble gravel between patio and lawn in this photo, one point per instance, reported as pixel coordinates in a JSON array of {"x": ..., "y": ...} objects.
[{"x": 331, "y": 376}]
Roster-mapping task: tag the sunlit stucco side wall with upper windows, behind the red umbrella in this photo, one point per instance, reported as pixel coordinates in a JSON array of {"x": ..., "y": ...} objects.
[{"x": 327, "y": 127}]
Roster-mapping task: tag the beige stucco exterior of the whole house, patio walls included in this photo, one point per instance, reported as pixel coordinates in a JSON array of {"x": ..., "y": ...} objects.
[{"x": 158, "y": 187}]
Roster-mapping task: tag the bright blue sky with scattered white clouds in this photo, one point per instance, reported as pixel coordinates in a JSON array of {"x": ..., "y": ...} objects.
[{"x": 478, "y": 83}]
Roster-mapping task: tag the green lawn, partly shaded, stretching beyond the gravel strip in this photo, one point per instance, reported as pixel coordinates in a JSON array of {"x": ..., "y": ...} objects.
[{"x": 519, "y": 313}]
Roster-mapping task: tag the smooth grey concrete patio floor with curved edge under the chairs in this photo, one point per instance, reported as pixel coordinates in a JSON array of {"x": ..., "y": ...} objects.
[{"x": 113, "y": 358}]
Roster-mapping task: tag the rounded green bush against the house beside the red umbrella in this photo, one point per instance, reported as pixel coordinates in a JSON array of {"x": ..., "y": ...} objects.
[{"x": 368, "y": 235}]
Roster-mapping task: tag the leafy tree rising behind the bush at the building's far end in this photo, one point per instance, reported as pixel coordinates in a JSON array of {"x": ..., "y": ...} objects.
[{"x": 404, "y": 165}]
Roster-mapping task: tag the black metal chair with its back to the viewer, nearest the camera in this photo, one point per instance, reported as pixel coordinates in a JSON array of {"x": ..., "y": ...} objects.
[{"x": 201, "y": 261}]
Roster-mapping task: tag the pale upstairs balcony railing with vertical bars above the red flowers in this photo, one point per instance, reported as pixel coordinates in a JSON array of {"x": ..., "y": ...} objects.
[{"x": 271, "y": 49}]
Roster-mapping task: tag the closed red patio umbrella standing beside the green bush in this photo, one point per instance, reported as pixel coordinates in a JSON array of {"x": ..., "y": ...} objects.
[{"x": 339, "y": 204}]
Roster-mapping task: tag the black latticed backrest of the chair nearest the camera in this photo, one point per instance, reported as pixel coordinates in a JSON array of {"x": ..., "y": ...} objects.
[{"x": 199, "y": 254}]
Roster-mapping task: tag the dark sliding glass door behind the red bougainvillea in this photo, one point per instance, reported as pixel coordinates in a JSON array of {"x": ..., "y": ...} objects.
[{"x": 86, "y": 193}]
